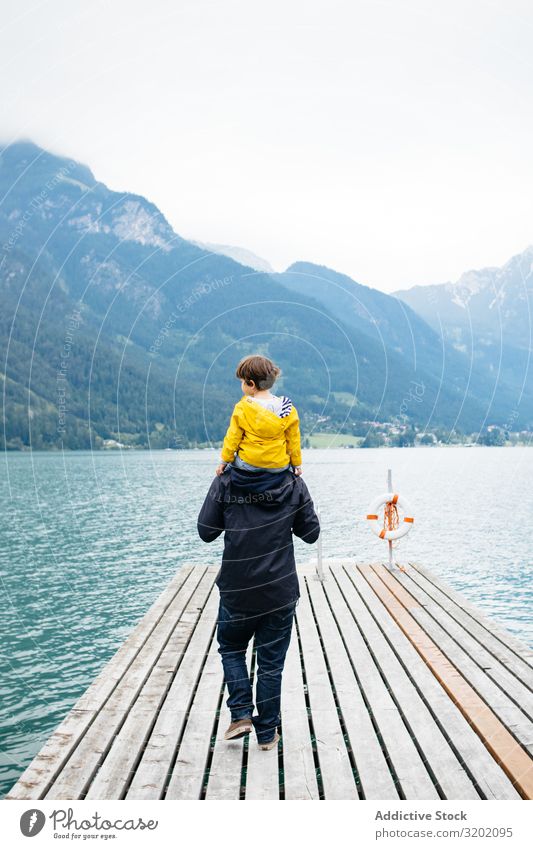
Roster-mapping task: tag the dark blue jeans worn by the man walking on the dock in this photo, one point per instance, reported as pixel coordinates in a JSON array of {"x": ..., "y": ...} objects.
[{"x": 272, "y": 637}]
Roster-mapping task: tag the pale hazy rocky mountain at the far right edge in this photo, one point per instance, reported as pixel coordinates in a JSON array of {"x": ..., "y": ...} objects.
[{"x": 487, "y": 314}]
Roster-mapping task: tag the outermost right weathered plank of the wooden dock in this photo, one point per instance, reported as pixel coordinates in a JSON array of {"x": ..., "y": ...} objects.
[{"x": 515, "y": 664}]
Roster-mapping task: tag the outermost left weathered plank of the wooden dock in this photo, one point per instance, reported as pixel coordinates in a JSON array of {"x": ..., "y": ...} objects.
[{"x": 37, "y": 778}]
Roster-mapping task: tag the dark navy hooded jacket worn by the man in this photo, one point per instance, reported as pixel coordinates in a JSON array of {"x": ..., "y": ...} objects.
[{"x": 259, "y": 512}]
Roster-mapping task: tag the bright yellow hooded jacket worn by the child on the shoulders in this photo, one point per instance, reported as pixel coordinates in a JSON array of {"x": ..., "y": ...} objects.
[{"x": 261, "y": 437}]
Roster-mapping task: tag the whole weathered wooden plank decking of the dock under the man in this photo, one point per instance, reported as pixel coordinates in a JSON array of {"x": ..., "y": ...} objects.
[{"x": 394, "y": 688}]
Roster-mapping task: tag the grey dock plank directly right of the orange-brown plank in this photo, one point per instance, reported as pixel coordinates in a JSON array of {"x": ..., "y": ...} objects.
[{"x": 509, "y": 713}]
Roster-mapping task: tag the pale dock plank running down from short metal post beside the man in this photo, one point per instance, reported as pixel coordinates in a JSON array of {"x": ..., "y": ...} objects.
[{"x": 374, "y": 773}]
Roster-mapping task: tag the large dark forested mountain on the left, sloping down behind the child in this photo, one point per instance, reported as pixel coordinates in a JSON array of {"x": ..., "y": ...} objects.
[{"x": 113, "y": 327}]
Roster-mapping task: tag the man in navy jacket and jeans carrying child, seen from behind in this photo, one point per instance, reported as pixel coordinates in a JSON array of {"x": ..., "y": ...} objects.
[{"x": 259, "y": 512}]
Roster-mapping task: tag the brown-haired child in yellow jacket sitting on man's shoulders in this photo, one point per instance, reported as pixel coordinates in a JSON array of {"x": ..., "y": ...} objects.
[{"x": 264, "y": 431}]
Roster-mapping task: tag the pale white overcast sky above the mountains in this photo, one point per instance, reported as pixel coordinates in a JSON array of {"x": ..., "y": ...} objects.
[{"x": 389, "y": 139}]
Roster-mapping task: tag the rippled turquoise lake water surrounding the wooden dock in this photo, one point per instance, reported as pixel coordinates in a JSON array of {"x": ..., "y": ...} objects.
[{"x": 90, "y": 540}]
